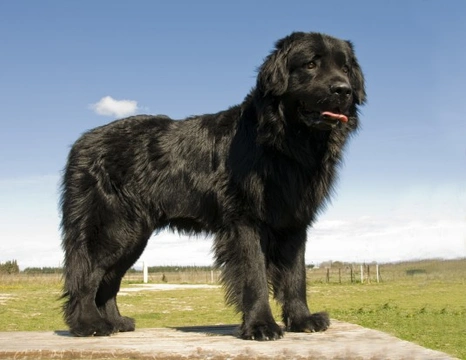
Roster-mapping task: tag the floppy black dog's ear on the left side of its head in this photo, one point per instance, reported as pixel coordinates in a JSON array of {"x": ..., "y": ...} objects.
[{"x": 273, "y": 74}]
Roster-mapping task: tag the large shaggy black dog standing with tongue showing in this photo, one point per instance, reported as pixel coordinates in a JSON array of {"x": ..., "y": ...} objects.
[{"x": 255, "y": 176}]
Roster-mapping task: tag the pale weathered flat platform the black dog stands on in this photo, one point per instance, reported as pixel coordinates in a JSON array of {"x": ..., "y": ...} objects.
[{"x": 341, "y": 341}]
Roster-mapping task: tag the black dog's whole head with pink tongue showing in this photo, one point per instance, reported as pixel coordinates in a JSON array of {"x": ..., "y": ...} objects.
[{"x": 316, "y": 77}]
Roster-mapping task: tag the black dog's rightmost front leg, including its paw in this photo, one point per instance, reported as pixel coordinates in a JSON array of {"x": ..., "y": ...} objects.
[{"x": 287, "y": 272}]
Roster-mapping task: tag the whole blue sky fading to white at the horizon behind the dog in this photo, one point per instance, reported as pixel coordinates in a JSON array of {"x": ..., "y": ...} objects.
[{"x": 402, "y": 189}]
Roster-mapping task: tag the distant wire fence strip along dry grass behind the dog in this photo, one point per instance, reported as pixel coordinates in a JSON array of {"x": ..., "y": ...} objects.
[{"x": 329, "y": 273}]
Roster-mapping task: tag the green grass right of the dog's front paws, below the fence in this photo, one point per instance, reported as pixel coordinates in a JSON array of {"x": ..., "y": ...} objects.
[{"x": 430, "y": 314}]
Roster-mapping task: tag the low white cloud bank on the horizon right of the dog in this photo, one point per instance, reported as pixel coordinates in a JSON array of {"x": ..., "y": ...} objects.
[{"x": 385, "y": 239}]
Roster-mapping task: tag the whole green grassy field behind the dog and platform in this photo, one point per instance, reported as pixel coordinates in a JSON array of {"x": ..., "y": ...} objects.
[{"x": 423, "y": 302}]
